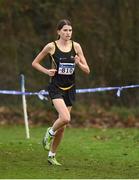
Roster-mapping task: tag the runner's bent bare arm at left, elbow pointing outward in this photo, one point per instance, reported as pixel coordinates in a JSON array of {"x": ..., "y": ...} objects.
[{"x": 36, "y": 62}]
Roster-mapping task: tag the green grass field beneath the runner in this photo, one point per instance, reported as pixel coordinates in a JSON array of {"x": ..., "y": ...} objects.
[{"x": 84, "y": 153}]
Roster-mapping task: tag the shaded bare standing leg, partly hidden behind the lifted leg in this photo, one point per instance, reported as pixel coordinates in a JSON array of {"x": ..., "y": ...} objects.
[{"x": 58, "y": 137}]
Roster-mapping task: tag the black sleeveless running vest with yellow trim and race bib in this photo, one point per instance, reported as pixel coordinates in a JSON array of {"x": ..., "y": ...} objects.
[{"x": 65, "y": 66}]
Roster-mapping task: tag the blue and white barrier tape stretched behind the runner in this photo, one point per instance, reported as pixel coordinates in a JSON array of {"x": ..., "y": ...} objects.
[{"x": 41, "y": 93}]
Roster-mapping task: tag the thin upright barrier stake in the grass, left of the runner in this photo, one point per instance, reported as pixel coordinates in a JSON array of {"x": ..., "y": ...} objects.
[{"x": 24, "y": 106}]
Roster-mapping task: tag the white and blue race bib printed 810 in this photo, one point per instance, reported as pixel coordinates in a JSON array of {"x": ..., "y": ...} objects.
[{"x": 66, "y": 68}]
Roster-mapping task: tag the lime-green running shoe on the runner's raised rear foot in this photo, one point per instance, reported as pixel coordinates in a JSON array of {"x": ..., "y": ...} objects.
[{"x": 47, "y": 140}]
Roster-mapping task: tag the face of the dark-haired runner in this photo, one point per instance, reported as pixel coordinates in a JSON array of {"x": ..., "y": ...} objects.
[{"x": 65, "y": 33}]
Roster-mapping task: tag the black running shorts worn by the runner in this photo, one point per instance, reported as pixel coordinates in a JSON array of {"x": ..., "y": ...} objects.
[{"x": 67, "y": 95}]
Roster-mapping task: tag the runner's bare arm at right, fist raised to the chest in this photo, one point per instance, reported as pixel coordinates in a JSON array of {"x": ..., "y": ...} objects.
[{"x": 80, "y": 59}]
